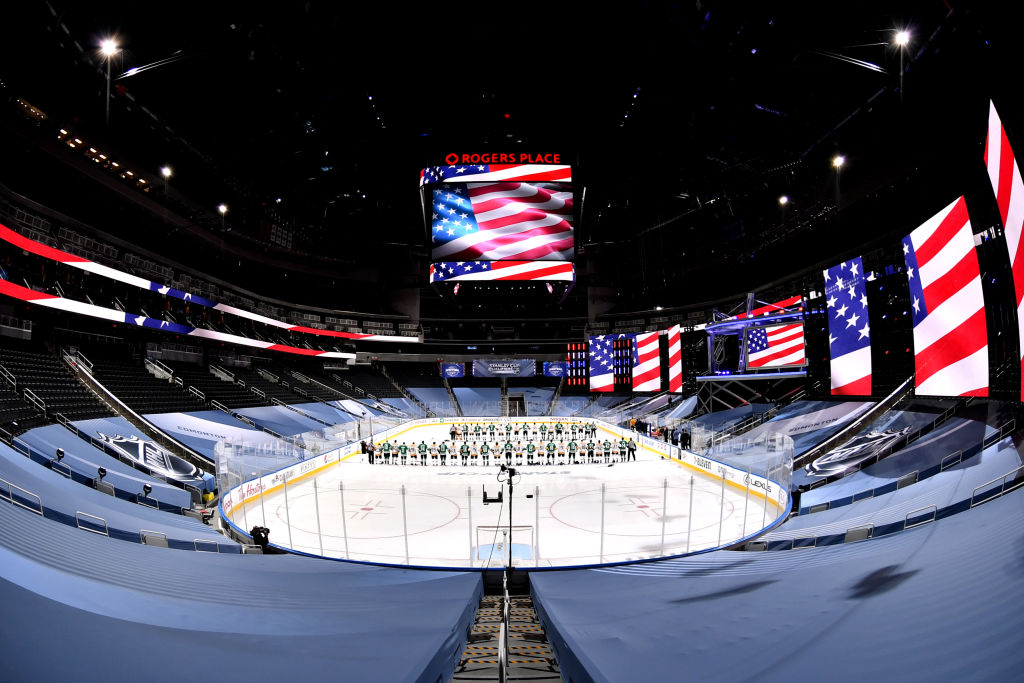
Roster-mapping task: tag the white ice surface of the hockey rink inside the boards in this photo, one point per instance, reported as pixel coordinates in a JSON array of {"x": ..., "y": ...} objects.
[{"x": 563, "y": 515}]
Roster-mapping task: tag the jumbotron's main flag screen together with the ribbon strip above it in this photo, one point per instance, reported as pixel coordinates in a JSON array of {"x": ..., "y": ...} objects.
[{"x": 499, "y": 212}]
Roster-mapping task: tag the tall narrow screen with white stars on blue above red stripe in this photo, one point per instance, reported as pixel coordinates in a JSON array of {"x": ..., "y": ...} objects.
[{"x": 849, "y": 334}]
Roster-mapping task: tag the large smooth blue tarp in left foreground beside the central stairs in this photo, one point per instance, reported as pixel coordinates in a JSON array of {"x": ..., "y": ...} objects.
[{"x": 78, "y": 607}]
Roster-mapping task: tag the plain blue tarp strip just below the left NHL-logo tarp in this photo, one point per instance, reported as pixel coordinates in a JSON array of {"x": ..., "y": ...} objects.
[{"x": 84, "y": 461}]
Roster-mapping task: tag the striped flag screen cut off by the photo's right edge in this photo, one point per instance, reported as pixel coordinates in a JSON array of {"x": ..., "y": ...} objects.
[{"x": 1005, "y": 176}]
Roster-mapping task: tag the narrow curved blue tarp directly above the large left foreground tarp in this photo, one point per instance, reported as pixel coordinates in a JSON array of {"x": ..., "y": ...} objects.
[{"x": 62, "y": 499}]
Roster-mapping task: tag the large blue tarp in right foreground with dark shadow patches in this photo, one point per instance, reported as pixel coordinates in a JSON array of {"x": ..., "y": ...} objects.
[{"x": 941, "y": 603}]
